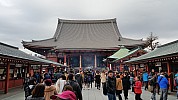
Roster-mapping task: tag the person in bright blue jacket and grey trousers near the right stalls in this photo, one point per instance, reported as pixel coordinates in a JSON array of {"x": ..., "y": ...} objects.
[{"x": 163, "y": 83}]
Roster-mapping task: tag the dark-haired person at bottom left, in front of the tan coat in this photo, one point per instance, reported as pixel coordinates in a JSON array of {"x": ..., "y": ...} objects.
[{"x": 37, "y": 93}]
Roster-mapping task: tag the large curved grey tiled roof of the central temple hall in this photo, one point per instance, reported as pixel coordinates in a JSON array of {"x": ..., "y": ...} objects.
[{"x": 85, "y": 34}]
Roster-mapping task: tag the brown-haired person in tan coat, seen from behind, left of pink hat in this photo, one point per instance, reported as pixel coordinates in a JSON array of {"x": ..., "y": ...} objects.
[{"x": 49, "y": 89}]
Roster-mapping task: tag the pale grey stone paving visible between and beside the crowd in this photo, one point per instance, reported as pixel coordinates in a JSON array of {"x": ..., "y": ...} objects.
[{"x": 92, "y": 94}]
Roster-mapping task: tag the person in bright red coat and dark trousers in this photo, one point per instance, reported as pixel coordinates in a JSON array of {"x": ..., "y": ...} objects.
[{"x": 138, "y": 89}]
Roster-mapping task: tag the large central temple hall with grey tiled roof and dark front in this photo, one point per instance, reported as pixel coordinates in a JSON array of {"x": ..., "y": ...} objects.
[{"x": 83, "y": 43}]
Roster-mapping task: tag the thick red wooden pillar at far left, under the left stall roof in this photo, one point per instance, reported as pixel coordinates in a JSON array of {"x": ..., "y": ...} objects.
[{"x": 7, "y": 78}]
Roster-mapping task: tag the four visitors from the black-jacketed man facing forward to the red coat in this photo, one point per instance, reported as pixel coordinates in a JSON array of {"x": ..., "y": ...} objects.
[{"x": 119, "y": 82}]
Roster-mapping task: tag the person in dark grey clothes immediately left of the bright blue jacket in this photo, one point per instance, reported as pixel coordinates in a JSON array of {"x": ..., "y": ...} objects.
[{"x": 153, "y": 83}]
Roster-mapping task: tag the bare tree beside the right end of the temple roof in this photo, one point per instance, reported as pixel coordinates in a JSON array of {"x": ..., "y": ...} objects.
[{"x": 151, "y": 42}]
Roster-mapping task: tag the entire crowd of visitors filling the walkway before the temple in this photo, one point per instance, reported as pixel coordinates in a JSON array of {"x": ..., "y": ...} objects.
[{"x": 69, "y": 85}]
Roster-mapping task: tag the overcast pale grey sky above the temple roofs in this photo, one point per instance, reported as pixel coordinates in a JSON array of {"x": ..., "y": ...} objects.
[{"x": 37, "y": 19}]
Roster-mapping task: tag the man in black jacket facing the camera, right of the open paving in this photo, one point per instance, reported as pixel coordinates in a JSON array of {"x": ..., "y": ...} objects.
[{"x": 111, "y": 86}]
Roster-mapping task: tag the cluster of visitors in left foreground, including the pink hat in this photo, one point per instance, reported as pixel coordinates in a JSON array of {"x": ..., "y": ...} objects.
[{"x": 67, "y": 87}]
